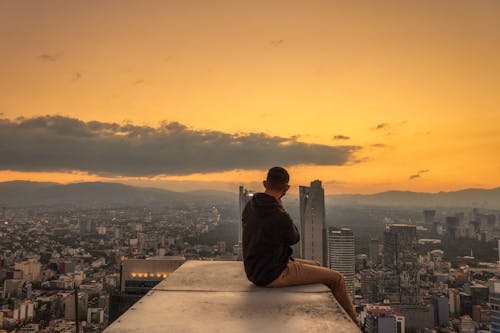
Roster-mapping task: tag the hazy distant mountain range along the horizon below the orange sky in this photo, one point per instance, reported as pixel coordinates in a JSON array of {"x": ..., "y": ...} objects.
[{"x": 100, "y": 194}]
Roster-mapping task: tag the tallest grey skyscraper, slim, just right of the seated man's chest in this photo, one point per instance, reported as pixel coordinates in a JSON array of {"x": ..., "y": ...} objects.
[{"x": 312, "y": 222}]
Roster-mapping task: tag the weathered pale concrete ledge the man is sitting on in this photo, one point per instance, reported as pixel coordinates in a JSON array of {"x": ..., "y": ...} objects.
[{"x": 215, "y": 297}]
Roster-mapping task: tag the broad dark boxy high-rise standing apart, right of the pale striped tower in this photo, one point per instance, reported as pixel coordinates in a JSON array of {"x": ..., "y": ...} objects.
[{"x": 400, "y": 257}]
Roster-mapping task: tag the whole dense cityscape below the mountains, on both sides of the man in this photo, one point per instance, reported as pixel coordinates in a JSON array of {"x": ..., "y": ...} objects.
[{"x": 401, "y": 278}]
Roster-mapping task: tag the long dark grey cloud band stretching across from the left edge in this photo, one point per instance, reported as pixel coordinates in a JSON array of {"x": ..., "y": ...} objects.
[{"x": 56, "y": 143}]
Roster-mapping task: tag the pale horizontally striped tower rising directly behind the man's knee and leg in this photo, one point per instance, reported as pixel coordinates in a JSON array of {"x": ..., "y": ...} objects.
[{"x": 340, "y": 254}]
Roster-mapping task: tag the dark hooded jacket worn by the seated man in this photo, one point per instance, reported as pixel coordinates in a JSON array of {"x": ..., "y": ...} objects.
[{"x": 268, "y": 233}]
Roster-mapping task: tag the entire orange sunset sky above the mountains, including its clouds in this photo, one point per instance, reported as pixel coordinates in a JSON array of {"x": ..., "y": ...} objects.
[{"x": 367, "y": 96}]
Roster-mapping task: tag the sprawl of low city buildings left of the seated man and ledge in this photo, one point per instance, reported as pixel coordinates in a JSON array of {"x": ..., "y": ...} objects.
[{"x": 46, "y": 255}]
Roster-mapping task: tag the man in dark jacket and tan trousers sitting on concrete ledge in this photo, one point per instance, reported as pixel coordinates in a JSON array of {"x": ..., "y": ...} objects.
[{"x": 268, "y": 233}]
